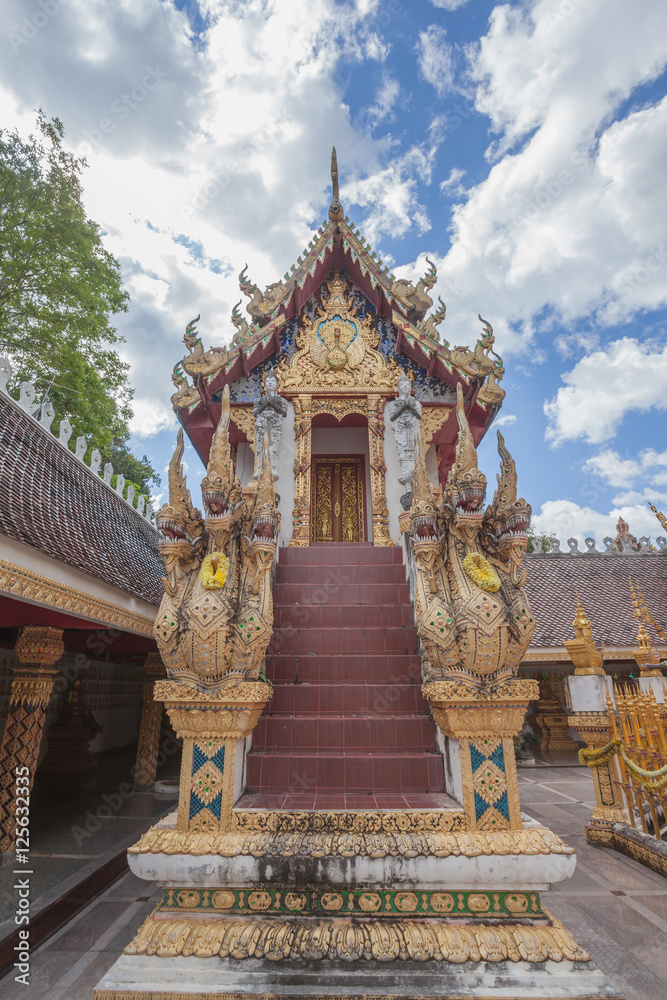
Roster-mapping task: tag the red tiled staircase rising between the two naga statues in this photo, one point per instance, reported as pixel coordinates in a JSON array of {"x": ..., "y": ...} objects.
[{"x": 347, "y": 726}]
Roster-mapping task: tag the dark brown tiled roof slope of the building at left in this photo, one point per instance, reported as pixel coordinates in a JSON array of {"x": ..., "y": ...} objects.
[{"x": 50, "y": 500}]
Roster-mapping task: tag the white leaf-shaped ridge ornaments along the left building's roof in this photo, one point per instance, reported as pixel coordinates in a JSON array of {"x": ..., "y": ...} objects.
[{"x": 47, "y": 414}]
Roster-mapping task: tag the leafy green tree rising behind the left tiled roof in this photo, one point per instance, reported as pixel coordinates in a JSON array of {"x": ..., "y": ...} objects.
[{"x": 59, "y": 289}]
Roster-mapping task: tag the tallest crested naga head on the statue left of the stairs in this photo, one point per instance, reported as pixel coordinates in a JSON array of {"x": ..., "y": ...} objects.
[{"x": 220, "y": 488}]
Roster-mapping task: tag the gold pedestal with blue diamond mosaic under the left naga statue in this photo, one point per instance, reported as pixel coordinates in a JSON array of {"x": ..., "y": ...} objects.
[{"x": 213, "y": 729}]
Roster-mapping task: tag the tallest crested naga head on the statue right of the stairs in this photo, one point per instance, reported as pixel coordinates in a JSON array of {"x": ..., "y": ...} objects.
[{"x": 465, "y": 491}]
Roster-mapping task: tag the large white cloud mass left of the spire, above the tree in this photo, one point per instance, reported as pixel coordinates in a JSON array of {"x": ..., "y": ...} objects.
[{"x": 224, "y": 161}]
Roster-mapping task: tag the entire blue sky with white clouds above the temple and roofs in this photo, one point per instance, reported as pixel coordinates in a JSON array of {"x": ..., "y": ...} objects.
[{"x": 521, "y": 146}]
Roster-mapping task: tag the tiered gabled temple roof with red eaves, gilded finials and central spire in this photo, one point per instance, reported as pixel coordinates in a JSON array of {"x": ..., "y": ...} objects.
[{"x": 337, "y": 246}]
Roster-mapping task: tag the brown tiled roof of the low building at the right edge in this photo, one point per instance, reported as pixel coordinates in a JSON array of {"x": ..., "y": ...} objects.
[{"x": 601, "y": 580}]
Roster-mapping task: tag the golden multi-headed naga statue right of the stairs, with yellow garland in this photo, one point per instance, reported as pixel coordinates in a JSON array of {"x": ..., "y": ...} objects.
[{"x": 472, "y": 615}]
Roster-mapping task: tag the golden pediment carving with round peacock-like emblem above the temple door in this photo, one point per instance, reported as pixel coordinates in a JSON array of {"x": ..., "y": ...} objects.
[{"x": 337, "y": 351}]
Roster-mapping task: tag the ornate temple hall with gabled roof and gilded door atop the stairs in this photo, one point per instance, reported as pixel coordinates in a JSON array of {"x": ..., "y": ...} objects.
[{"x": 332, "y": 338}]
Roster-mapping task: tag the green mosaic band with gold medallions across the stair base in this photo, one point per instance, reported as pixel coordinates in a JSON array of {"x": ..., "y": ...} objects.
[{"x": 381, "y": 902}]
